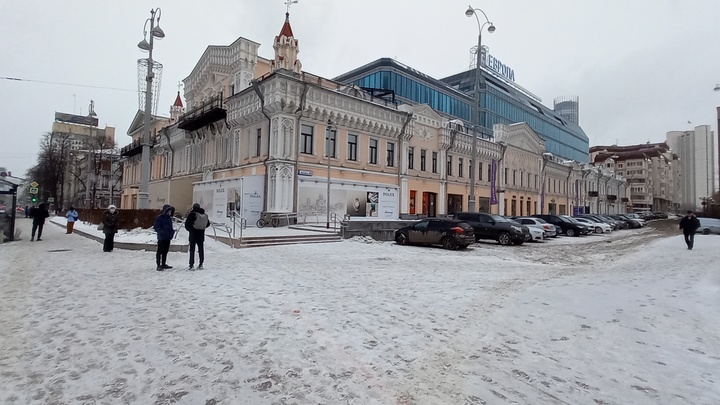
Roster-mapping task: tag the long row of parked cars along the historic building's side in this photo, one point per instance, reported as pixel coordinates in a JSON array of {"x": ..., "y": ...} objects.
[{"x": 466, "y": 228}]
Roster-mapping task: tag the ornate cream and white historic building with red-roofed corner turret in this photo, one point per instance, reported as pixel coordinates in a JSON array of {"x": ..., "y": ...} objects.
[{"x": 265, "y": 136}]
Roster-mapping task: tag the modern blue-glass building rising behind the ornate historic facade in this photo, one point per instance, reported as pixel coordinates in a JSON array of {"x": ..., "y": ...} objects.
[{"x": 501, "y": 103}]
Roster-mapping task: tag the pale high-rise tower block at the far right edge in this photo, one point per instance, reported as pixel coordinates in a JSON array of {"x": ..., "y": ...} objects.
[{"x": 696, "y": 150}]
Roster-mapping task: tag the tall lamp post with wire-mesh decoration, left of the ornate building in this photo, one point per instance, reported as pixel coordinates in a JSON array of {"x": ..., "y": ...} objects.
[{"x": 155, "y": 32}]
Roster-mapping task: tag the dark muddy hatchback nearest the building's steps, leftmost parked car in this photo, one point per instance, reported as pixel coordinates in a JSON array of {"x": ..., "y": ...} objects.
[{"x": 436, "y": 231}]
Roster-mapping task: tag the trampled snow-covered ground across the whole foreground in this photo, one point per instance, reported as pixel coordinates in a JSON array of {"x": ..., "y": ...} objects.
[{"x": 624, "y": 318}]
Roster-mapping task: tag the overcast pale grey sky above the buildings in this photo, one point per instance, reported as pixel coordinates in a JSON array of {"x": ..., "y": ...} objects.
[{"x": 640, "y": 67}]
